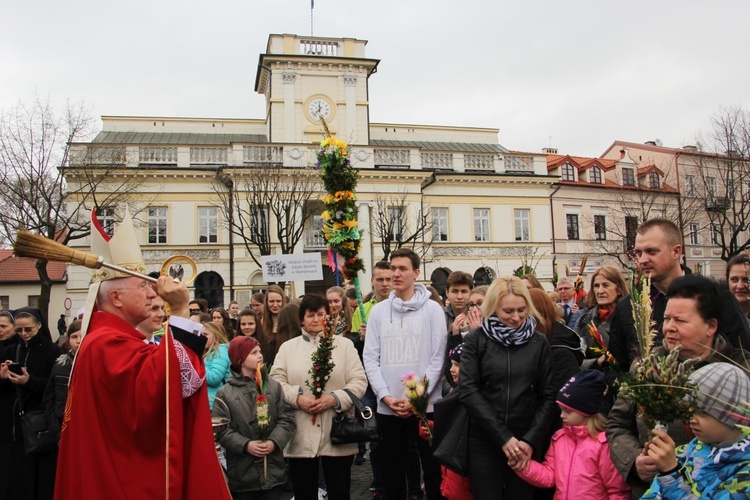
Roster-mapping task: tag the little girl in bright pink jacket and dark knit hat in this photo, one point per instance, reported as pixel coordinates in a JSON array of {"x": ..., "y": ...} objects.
[{"x": 577, "y": 463}]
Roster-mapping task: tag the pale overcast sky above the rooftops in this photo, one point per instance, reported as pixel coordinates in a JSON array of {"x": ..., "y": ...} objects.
[{"x": 573, "y": 74}]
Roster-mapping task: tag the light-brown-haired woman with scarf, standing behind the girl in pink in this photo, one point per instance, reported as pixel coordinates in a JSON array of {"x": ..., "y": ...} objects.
[{"x": 607, "y": 287}]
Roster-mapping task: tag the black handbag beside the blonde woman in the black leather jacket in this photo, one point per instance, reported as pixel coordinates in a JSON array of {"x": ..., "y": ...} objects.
[{"x": 451, "y": 434}]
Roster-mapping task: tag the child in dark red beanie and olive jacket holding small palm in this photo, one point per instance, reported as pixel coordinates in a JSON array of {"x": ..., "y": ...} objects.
[{"x": 255, "y": 460}]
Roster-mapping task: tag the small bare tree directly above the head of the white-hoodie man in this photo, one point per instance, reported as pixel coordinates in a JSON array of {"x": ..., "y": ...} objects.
[{"x": 394, "y": 227}]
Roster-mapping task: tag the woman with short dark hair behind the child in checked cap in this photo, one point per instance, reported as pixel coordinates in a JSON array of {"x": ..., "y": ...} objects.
[{"x": 694, "y": 319}]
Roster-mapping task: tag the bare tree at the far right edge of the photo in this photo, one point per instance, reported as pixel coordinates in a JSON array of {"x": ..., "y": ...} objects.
[{"x": 723, "y": 163}]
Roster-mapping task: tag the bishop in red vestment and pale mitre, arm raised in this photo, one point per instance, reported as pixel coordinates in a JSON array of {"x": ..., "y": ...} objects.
[{"x": 137, "y": 423}]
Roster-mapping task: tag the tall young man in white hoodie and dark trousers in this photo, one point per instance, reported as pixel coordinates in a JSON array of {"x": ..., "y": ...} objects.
[{"x": 405, "y": 333}]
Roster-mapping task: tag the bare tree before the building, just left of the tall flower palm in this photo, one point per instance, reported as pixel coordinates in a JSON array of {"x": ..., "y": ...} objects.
[{"x": 267, "y": 205}]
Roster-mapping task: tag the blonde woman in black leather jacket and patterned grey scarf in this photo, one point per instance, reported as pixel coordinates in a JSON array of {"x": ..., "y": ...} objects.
[{"x": 507, "y": 386}]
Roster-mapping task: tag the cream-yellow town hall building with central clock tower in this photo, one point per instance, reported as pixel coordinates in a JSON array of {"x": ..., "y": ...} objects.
[{"x": 481, "y": 208}]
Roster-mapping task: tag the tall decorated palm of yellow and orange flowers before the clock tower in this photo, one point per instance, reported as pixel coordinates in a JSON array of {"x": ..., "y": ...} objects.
[{"x": 340, "y": 226}]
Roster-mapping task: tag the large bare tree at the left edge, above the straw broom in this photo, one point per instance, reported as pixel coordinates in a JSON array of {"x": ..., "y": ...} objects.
[{"x": 35, "y": 157}]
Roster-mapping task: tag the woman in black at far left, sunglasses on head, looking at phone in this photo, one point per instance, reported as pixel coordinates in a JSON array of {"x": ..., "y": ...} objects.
[{"x": 29, "y": 475}]
